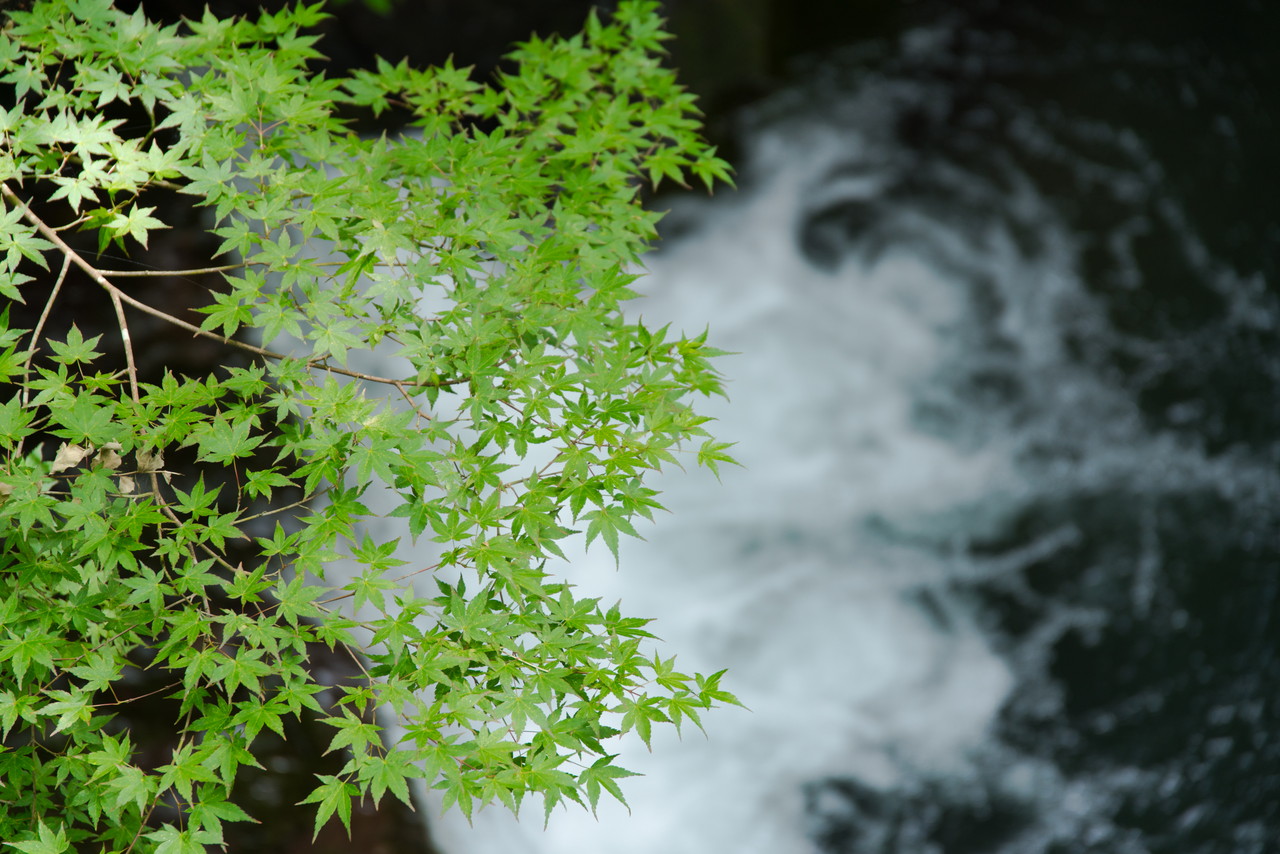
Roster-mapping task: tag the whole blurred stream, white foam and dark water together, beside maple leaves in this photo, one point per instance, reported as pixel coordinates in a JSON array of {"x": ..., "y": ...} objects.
[{"x": 1000, "y": 570}]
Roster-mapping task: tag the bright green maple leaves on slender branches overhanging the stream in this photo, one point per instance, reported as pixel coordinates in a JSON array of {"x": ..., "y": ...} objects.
[{"x": 488, "y": 255}]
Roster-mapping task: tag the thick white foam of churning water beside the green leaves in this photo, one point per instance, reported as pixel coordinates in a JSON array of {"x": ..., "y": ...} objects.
[{"x": 776, "y": 573}]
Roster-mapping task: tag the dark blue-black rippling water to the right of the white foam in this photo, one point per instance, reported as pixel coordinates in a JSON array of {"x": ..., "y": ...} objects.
[{"x": 1146, "y": 652}]
